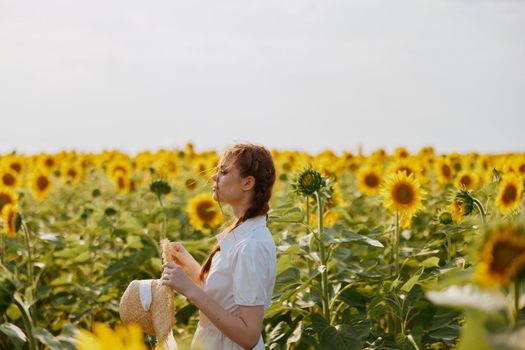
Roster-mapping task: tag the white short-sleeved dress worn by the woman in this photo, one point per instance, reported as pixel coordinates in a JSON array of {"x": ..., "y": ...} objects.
[{"x": 242, "y": 272}]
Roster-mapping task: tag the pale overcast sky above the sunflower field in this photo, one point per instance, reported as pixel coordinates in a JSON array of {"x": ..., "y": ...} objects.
[{"x": 298, "y": 75}]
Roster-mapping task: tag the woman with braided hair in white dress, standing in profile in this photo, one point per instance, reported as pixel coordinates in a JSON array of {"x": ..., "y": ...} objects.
[{"x": 233, "y": 288}]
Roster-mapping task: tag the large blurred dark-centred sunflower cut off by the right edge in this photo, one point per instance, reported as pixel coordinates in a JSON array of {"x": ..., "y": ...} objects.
[{"x": 502, "y": 256}]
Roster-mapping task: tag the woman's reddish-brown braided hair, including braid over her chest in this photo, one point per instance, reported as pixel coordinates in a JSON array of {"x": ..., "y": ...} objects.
[{"x": 251, "y": 160}]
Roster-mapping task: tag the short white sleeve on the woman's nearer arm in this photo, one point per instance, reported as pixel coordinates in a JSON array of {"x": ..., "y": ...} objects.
[{"x": 250, "y": 274}]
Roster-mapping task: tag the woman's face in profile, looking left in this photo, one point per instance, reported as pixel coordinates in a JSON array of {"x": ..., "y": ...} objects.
[{"x": 229, "y": 186}]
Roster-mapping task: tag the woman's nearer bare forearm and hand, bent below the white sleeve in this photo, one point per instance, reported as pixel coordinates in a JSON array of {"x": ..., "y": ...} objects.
[{"x": 244, "y": 329}]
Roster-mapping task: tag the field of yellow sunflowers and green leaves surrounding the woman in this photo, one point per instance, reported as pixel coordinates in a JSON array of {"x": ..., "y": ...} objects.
[{"x": 379, "y": 251}]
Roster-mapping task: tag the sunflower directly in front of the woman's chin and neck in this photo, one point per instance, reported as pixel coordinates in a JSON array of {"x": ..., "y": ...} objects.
[{"x": 203, "y": 212}]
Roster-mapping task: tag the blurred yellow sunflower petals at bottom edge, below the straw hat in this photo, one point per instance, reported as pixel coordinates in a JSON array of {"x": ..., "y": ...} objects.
[{"x": 128, "y": 337}]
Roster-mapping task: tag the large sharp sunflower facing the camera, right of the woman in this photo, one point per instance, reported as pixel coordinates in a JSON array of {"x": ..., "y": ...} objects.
[{"x": 402, "y": 193}]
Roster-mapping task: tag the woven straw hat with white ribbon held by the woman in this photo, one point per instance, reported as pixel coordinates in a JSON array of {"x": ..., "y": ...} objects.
[{"x": 150, "y": 305}]
